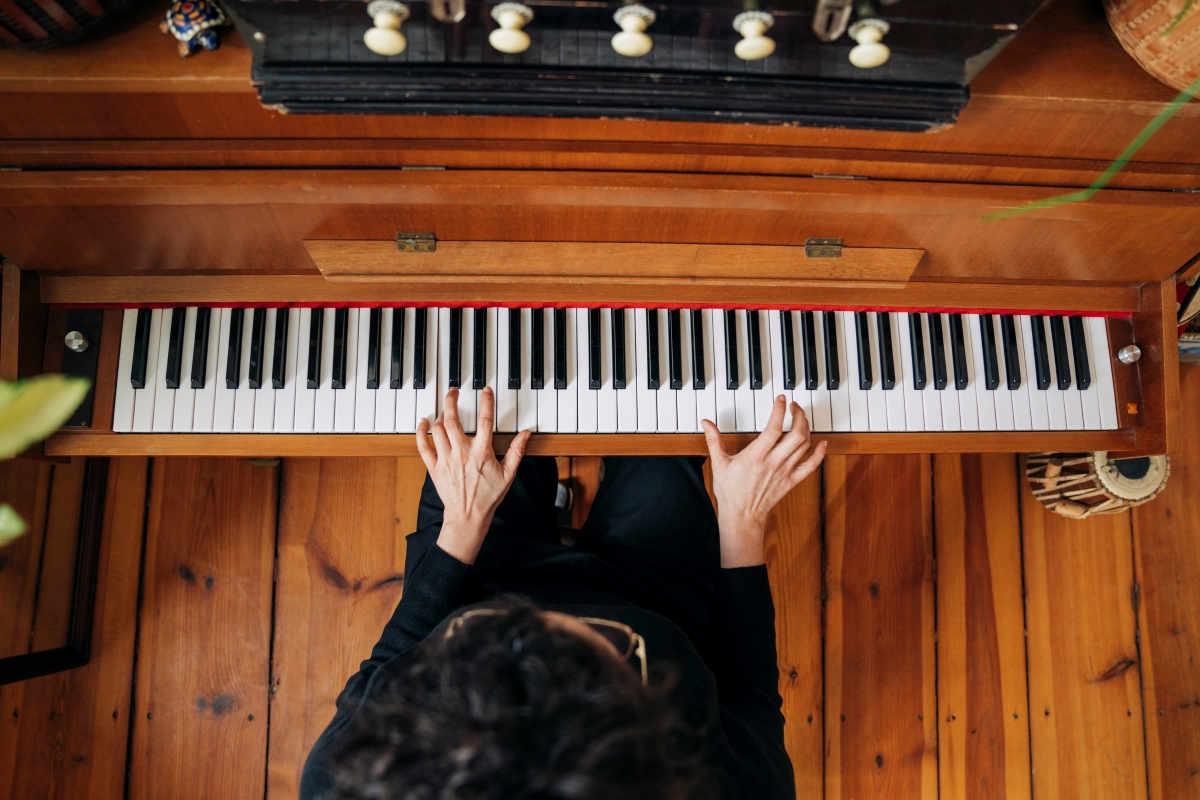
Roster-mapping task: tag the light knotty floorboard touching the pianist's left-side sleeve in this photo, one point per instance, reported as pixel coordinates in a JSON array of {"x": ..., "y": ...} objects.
[{"x": 343, "y": 527}]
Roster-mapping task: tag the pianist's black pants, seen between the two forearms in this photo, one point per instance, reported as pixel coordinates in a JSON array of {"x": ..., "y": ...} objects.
[{"x": 651, "y": 539}]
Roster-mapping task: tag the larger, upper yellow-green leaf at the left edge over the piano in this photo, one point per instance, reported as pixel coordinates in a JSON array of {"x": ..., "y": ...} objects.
[{"x": 32, "y": 410}]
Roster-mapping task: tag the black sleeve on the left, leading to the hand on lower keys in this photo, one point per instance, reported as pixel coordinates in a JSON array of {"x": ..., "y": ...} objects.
[{"x": 431, "y": 594}]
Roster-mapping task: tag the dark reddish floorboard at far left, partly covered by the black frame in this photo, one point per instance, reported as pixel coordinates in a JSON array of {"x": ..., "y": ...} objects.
[{"x": 64, "y": 737}]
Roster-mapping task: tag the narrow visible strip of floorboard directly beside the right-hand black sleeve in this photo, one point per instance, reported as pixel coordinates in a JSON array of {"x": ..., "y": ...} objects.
[{"x": 794, "y": 561}]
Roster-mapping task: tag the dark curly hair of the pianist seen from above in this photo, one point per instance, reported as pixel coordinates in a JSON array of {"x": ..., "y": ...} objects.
[{"x": 509, "y": 708}]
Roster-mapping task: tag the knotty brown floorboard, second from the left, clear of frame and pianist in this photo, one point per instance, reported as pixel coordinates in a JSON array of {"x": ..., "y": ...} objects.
[{"x": 200, "y": 729}]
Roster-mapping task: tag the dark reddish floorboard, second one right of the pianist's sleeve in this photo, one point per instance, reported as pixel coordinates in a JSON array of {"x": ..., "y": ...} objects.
[{"x": 881, "y": 737}]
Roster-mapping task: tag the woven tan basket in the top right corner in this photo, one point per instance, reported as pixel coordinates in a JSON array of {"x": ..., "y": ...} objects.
[{"x": 1142, "y": 26}]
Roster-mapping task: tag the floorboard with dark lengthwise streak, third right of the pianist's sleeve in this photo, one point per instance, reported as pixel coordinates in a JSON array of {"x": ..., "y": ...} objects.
[{"x": 983, "y": 702}]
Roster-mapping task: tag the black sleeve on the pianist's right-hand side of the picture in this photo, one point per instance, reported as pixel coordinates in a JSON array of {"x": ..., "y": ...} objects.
[{"x": 747, "y": 670}]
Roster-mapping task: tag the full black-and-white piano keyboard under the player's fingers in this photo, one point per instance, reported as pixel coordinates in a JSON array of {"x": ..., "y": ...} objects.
[{"x": 609, "y": 371}]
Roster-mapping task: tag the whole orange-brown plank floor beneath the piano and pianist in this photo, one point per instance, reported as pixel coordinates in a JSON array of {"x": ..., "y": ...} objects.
[{"x": 941, "y": 635}]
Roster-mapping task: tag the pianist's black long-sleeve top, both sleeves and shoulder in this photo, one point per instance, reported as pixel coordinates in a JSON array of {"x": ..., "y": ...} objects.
[{"x": 739, "y": 687}]
